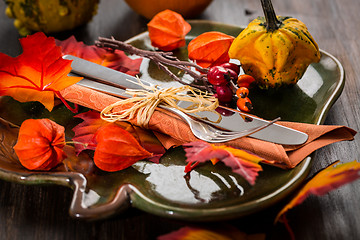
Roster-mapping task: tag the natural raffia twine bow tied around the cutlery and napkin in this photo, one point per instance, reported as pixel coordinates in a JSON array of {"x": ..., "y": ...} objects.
[{"x": 144, "y": 102}]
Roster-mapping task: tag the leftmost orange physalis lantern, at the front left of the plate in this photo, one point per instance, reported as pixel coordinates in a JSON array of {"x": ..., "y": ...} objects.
[{"x": 40, "y": 144}]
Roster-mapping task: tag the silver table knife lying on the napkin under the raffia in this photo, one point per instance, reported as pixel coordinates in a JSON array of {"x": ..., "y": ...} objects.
[{"x": 96, "y": 76}]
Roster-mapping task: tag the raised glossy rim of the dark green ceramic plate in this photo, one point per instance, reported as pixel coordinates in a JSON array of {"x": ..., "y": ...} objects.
[{"x": 128, "y": 194}]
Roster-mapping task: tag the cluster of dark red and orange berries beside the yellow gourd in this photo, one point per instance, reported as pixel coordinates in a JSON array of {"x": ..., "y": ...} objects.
[{"x": 226, "y": 81}]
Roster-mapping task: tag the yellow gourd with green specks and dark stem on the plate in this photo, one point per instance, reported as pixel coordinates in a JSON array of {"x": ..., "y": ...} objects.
[{"x": 275, "y": 50}]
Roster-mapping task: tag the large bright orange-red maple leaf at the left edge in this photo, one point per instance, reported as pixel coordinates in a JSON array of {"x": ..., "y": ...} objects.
[{"x": 38, "y": 74}]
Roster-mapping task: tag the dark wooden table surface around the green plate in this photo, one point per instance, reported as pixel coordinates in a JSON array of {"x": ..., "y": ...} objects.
[{"x": 41, "y": 212}]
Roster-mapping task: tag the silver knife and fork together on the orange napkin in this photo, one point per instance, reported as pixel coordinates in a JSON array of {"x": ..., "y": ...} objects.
[{"x": 233, "y": 125}]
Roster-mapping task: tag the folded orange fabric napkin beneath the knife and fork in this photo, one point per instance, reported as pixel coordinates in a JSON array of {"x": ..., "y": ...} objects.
[{"x": 172, "y": 130}]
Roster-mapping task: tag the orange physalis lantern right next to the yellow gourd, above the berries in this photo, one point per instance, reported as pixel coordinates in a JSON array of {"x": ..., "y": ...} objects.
[{"x": 210, "y": 49}]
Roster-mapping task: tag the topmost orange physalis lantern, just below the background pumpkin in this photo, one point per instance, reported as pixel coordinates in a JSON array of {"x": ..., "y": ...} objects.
[{"x": 167, "y": 30}]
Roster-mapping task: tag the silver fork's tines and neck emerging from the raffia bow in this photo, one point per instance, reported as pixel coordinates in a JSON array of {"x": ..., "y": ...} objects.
[{"x": 208, "y": 133}]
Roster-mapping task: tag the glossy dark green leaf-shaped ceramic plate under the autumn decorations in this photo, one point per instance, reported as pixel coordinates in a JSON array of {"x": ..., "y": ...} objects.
[{"x": 209, "y": 192}]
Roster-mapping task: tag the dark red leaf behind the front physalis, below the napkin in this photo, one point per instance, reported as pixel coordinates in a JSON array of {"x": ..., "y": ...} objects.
[{"x": 85, "y": 131}]
